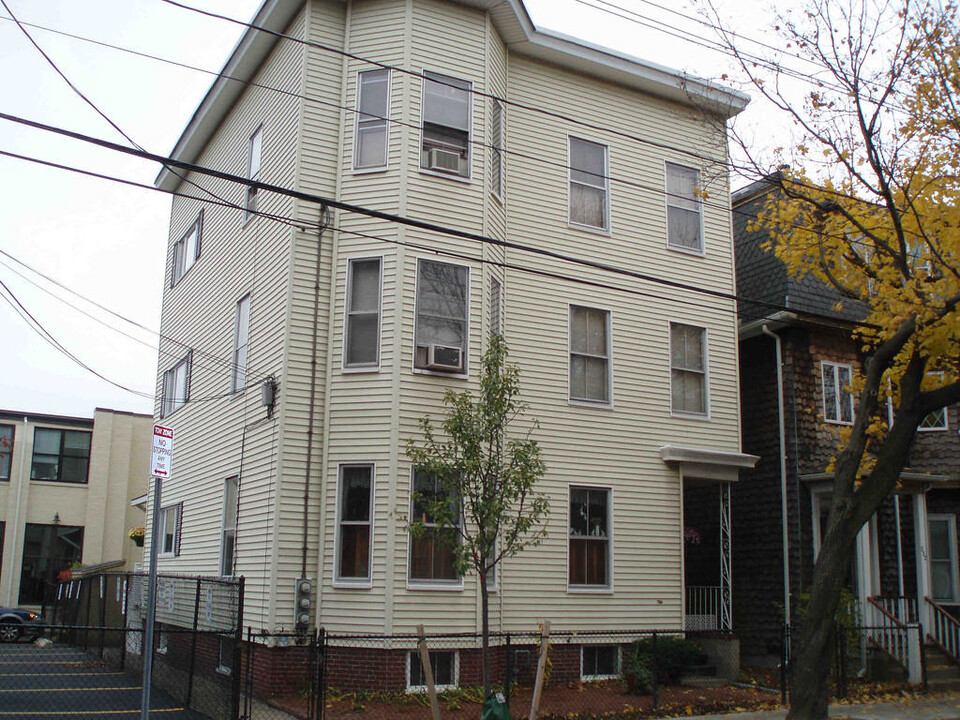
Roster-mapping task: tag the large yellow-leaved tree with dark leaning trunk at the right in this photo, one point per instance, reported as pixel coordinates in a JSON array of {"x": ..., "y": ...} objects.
[{"x": 870, "y": 204}]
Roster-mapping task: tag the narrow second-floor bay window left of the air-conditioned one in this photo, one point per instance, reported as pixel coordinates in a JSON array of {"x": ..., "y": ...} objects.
[{"x": 361, "y": 342}]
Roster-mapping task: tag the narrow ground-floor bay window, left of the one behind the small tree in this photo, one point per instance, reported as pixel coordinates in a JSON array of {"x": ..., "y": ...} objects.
[{"x": 354, "y": 523}]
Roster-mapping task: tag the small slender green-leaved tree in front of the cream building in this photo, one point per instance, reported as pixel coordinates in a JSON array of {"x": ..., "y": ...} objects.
[{"x": 475, "y": 497}]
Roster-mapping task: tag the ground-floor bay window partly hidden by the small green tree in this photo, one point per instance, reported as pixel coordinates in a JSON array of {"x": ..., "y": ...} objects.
[{"x": 431, "y": 554}]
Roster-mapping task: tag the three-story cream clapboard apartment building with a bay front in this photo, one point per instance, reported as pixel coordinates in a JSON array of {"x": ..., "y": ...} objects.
[{"x": 461, "y": 115}]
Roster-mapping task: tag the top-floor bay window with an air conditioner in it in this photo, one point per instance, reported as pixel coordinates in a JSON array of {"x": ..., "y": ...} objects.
[{"x": 446, "y": 125}]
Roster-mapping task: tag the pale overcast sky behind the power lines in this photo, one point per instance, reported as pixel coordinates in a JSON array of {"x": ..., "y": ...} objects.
[{"x": 108, "y": 241}]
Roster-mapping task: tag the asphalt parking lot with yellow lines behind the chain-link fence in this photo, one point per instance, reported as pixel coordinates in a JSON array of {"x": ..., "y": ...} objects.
[{"x": 62, "y": 682}]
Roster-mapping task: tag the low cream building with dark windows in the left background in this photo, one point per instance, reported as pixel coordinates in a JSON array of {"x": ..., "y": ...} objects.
[{"x": 70, "y": 490}]
